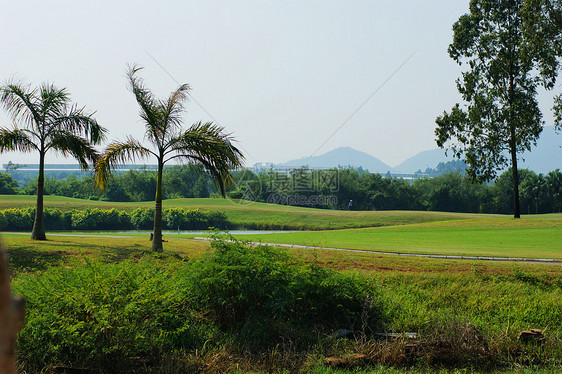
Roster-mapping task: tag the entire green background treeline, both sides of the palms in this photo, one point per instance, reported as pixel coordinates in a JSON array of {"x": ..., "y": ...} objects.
[{"x": 328, "y": 189}]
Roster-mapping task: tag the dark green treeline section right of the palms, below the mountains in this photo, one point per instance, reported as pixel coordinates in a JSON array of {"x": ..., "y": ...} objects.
[{"x": 452, "y": 192}]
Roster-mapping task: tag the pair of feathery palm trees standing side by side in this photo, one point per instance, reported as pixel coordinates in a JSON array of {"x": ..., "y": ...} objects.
[{"x": 50, "y": 122}]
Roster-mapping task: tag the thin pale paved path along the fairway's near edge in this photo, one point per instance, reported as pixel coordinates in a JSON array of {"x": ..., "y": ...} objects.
[{"x": 450, "y": 257}]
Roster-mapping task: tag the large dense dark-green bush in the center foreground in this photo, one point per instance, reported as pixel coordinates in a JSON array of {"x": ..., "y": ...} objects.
[{"x": 264, "y": 295}]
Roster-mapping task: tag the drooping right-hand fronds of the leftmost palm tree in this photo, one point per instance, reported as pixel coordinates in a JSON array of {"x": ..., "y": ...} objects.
[{"x": 70, "y": 144}]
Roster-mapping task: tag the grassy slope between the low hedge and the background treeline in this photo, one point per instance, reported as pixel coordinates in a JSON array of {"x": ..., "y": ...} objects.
[{"x": 255, "y": 215}]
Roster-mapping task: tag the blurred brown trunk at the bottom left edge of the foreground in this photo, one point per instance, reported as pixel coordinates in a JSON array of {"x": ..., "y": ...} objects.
[{"x": 12, "y": 311}]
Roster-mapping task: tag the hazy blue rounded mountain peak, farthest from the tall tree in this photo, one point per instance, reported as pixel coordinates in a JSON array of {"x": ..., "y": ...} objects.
[{"x": 344, "y": 156}]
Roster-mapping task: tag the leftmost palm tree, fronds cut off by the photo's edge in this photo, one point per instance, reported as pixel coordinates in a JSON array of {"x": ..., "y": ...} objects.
[{"x": 50, "y": 122}]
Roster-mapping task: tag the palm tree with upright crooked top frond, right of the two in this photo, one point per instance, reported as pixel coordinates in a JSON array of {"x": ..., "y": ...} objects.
[{"x": 203, "y": 143}]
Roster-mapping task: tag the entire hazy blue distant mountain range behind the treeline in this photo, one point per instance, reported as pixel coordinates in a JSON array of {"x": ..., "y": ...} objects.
[{"x": 544, "y": 157}]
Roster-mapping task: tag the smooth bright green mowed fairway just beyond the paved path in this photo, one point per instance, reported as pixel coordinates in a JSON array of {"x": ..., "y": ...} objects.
[{"x": 495, "y": 237}]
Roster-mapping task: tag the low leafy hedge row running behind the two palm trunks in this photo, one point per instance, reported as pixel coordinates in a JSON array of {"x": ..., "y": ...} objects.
[{"x": 113, "y": 219}]
